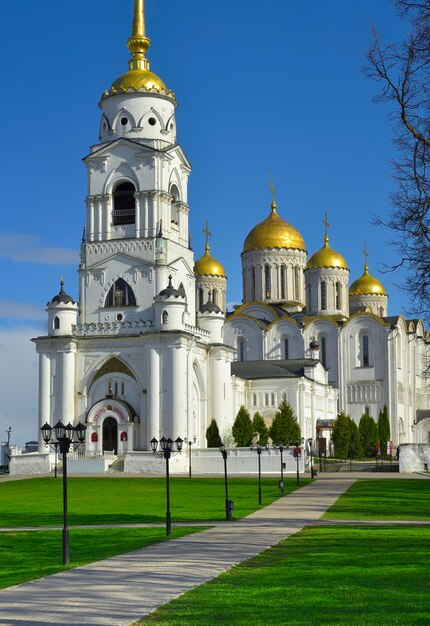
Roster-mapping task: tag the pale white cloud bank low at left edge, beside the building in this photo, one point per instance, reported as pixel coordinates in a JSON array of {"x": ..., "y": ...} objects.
[{"x": 19, "y": 384}]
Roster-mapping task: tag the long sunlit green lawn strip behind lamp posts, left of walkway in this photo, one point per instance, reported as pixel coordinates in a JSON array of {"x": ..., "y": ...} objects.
[{"x": 106, "y": 500}]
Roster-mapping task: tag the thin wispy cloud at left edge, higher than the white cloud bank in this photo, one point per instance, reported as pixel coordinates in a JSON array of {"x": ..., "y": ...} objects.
[{"x": 29, "y": 249}]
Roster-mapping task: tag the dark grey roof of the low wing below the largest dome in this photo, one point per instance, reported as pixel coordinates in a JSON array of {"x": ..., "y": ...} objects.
[{"x": 292, "y": 368}]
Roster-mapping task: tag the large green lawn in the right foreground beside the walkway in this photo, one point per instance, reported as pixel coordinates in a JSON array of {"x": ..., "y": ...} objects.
[{"x": 324, "y": 576}]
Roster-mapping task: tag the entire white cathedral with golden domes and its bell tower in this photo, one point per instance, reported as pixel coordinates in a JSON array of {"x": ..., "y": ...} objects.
[{"x": 150, "y": 348}]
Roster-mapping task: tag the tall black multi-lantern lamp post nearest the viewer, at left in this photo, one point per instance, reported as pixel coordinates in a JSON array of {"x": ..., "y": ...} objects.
[{"x": 66, "y": 438}]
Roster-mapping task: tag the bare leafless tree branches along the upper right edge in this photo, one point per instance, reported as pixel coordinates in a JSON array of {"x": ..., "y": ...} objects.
[{"x": 403, "y": 71}]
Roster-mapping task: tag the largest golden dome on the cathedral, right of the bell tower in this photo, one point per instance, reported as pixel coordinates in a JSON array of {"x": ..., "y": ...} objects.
[{"x": 274, "y": 232}]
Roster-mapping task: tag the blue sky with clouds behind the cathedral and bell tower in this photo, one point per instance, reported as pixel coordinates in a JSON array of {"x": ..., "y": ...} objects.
[{"x": 262, "y": 87}]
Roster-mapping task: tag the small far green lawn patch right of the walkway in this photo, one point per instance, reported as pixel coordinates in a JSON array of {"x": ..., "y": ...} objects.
[{"x": 383, "y": 500}]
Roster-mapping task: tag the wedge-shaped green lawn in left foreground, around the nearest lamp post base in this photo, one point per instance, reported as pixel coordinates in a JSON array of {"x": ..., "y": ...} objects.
[{"x": 26, "y": 556}]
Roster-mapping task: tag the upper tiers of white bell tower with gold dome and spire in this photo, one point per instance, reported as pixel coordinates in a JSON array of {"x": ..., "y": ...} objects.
[{"x": 136, "y": 232}]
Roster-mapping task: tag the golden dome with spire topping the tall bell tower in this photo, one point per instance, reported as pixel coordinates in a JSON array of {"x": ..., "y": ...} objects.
[{"x": 138, "y": 77}]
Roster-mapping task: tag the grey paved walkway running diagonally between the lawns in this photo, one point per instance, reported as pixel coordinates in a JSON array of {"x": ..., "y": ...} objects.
[{"x": 122, "y": 589}]
